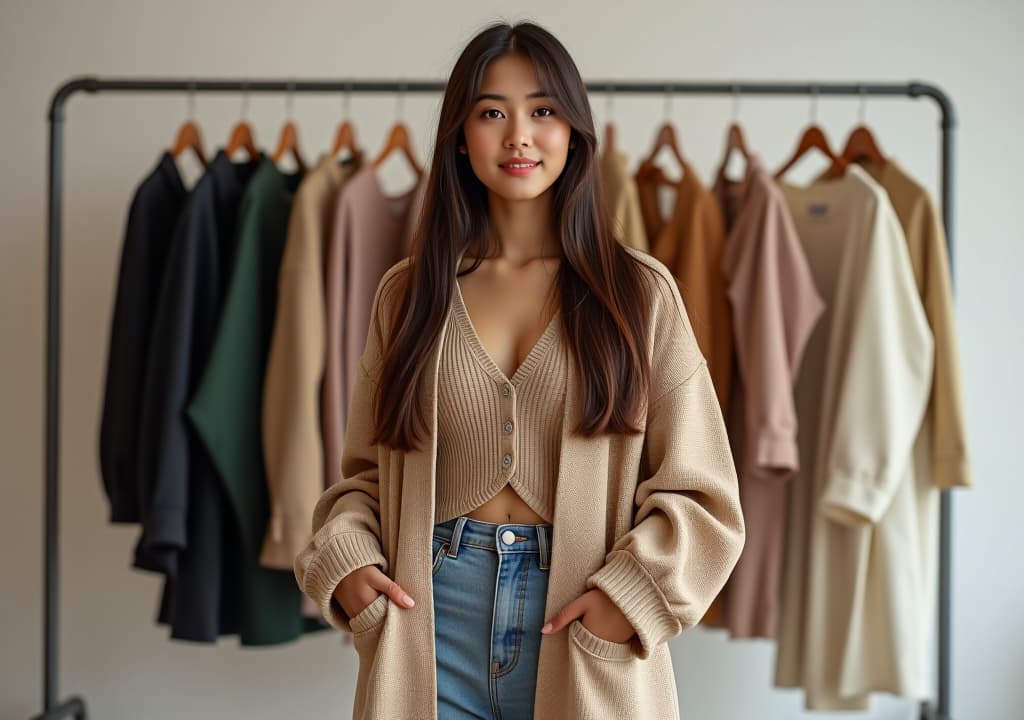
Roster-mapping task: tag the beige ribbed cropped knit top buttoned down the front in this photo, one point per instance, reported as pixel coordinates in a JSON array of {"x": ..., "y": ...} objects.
[{"x": 495, "y": 431}]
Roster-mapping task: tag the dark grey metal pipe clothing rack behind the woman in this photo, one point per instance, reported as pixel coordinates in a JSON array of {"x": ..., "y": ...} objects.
[{"x": 75, "y": 706}]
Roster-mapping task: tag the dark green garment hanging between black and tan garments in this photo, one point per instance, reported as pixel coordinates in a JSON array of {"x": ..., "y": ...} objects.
[{"x": 227, "y": 407}]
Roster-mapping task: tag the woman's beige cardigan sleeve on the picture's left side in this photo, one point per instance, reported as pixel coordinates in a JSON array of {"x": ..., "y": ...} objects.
[{"x": 347, "y": 528}]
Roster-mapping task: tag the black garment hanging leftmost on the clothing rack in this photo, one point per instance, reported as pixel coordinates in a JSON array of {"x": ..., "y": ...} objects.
[{"x": 152, "y": 216}]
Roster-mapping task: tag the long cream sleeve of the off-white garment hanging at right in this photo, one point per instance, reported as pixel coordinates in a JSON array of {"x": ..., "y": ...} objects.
[{"x": 885, "y": 379}]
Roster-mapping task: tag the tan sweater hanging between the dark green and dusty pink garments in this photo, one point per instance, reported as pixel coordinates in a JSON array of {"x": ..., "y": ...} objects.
[{"x": 293, "y": 447}]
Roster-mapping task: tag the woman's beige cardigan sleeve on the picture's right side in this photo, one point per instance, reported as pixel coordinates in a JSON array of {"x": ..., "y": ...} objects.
[{"x": 689, "y": 529}]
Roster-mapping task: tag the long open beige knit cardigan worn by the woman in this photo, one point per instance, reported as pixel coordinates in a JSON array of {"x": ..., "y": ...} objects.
[{"x": 653, "y": 520}]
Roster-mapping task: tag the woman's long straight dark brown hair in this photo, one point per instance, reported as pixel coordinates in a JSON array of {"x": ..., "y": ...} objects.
[{"x": 602, "y": 287}]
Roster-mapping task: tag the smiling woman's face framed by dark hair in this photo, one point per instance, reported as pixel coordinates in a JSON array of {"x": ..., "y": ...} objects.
[{"x": 515, "y": 122}]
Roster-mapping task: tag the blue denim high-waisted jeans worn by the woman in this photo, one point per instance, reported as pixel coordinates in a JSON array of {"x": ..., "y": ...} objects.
[{"x": 491, "y": 584}]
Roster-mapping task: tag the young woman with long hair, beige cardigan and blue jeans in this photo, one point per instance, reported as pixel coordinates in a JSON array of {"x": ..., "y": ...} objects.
[{"x": 538, "y": 491}]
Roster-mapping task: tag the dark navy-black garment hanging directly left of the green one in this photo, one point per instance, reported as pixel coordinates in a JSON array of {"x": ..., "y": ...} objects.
[{"x": 187, "y": 530}]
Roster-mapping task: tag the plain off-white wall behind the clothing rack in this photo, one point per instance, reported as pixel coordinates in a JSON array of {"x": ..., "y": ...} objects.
[{"x": 111, "y": 650}]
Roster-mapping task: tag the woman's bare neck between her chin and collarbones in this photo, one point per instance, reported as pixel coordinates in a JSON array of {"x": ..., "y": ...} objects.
[{"x": 523, "y": 228}]
